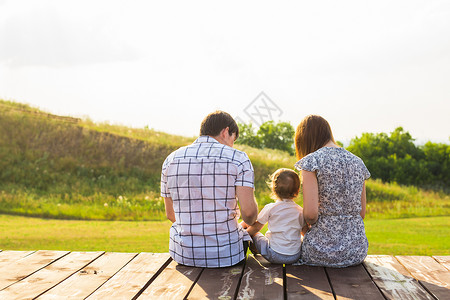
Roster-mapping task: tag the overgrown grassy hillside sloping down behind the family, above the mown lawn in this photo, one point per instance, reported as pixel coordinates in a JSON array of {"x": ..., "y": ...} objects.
[{"x": 64, "y": 167}]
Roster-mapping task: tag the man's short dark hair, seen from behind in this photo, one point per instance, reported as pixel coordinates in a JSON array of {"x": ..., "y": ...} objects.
[{"x": 216, "y": 121}]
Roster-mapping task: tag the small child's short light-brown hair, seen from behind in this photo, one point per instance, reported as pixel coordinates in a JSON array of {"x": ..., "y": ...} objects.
[{"x": 285, "y": 184}]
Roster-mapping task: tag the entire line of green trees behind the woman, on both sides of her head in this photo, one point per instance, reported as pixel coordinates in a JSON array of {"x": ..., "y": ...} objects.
[{"x": 390, "y": 157}]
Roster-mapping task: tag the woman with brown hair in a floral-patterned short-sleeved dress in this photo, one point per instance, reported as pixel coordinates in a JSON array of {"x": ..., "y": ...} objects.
[{"x": 334, "y": 197}]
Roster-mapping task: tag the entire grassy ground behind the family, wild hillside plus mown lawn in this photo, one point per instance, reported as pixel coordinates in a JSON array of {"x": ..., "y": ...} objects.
[{"x": 74, "y": 170}]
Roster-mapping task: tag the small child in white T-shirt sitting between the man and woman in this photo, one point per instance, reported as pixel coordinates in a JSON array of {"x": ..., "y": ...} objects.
[{"x": 282, "y": 242}]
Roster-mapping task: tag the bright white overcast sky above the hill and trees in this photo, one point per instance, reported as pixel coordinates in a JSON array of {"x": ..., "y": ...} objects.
[{"x": 366, "y": 66}]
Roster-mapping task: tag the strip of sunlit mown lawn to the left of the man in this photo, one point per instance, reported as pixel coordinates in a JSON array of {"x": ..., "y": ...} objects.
[{"x": 24, "y": 233}]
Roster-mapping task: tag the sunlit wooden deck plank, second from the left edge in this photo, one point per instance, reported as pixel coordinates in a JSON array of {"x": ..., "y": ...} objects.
[{"x": 27, "y": 265}]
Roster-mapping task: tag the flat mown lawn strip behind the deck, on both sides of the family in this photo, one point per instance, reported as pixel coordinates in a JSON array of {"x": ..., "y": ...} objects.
[{"x": 412, "y": 236}]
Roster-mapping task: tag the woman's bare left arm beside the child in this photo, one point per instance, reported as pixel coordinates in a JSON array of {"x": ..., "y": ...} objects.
[{"x": 310, "y": 196}]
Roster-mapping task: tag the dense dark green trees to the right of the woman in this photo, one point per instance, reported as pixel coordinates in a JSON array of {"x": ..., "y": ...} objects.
[{"x": 395, "y": 158}]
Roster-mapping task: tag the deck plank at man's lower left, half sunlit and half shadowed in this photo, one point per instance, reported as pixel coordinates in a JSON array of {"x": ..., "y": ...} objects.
[{"x": 174, "y": 282}]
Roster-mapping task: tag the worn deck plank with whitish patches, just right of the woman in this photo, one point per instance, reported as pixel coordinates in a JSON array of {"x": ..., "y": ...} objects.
[{"x": 393, "y": 279}]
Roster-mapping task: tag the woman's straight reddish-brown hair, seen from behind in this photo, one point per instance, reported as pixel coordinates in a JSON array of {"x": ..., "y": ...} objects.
[{"x": 312, "y": 133}]
